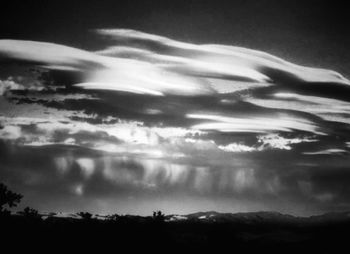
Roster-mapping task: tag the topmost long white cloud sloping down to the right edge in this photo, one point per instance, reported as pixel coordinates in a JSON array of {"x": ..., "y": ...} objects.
[{"x": 241, "y": 62}]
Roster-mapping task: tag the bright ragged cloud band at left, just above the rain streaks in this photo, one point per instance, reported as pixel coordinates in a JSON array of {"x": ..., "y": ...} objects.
[{"x": 120, "y": 137}]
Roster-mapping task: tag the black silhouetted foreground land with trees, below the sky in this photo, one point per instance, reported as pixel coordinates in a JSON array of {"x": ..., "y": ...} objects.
[{"x": 200, "y": 231}]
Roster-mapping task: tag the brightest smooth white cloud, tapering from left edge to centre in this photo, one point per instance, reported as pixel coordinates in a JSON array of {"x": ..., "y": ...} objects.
[{"x": 106, "y": 73}]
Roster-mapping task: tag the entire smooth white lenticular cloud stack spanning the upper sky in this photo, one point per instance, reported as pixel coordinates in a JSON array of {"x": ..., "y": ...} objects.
[{"x": 149, "y": 64}]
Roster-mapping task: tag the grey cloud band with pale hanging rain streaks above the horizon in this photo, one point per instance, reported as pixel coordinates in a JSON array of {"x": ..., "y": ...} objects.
[{"x": 89, "y": 175}]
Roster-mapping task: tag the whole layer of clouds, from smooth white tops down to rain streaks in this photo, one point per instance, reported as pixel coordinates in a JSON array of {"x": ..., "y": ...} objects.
[{"x": 154, "y": 121}]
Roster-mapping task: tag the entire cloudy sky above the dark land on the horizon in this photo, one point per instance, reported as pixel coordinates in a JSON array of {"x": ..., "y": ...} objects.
[{"x": 135, "y": 106}]
